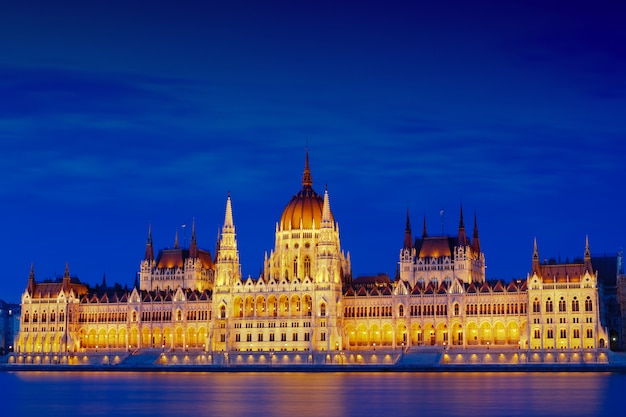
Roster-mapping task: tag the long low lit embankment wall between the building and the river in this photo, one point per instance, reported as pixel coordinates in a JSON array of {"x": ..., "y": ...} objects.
[{"x": 374, "y": 360}]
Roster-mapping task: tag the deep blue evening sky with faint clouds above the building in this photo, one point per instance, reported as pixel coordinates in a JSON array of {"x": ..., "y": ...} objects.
[{"x": 114, "y": 115}]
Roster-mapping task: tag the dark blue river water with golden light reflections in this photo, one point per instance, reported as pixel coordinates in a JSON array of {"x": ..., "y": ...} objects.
[{"x": 311, "y": 394}]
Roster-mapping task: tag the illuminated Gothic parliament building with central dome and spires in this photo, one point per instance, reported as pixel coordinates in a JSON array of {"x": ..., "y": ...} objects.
[{"x": 305, "y": 299}]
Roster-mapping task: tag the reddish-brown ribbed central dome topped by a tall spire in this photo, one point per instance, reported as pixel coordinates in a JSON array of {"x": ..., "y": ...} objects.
[{"x": 304, "y": 207}]
